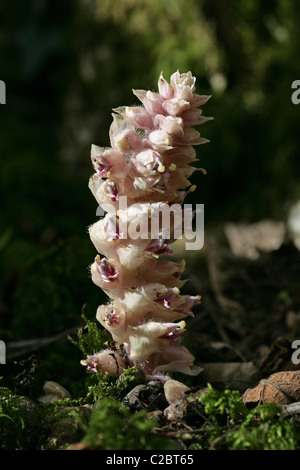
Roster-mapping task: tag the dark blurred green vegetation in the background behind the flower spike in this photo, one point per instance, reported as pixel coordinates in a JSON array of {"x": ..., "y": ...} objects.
[{"x": 66, "y": 64}]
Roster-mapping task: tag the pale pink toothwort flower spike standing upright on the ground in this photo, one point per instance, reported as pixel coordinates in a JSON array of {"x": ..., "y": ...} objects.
[{"x": 148, "y": 165}]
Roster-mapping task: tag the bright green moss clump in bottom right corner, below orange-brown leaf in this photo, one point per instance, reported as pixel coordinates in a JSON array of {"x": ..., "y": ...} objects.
[{"x": 230, "y": 425}]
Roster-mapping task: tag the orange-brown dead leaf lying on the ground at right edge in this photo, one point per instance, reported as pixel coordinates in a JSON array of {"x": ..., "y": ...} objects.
[{"x": 280, "y": 388}]
